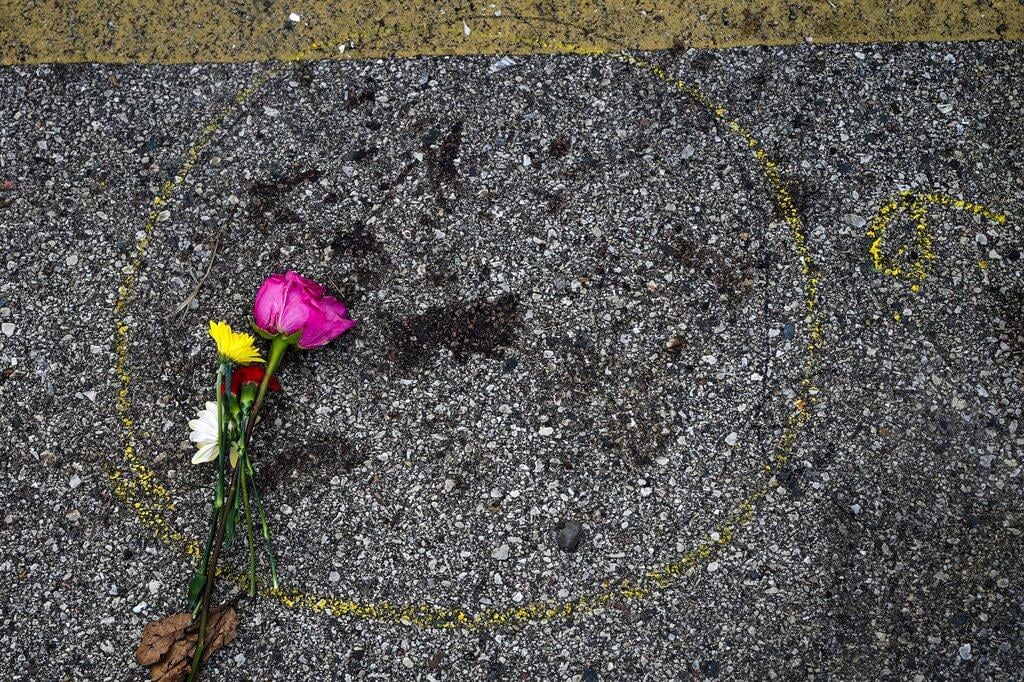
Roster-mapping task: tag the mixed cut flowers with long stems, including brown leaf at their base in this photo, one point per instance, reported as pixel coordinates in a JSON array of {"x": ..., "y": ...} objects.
[{"x": 290, "y": 311}]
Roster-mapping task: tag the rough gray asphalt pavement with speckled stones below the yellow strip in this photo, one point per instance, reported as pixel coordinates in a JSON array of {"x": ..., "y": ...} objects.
[{"x": 521, "y": 246}]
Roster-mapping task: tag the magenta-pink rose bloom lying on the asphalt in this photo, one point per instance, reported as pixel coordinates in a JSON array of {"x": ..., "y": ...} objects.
[{"x": 290, "y": 305}]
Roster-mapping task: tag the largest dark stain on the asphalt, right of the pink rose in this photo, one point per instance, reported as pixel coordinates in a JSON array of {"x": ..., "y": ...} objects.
[{"x": 483, "y": 327}]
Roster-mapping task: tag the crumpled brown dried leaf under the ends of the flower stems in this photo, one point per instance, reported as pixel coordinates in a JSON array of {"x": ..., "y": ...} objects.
[{"x": 169, "y": 645}]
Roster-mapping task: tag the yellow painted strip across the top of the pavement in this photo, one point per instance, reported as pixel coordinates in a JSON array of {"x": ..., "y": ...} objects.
[{"x": 187, "y": 32}]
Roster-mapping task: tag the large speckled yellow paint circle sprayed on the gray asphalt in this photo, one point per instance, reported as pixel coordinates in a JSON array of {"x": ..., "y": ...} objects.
[{"x": 140, "y": 488}]
